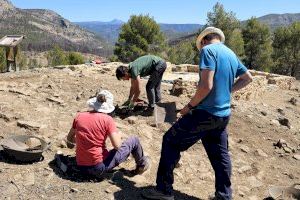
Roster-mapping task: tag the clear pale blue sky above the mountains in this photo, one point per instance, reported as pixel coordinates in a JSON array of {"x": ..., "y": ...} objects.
[{"x": 163, "y": 11}]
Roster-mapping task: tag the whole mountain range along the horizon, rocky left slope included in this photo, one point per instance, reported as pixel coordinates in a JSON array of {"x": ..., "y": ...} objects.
[{"x": 44, "y": 28}]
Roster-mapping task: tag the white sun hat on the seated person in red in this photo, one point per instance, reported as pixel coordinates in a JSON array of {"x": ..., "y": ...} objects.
[{"x": 103, "y": 102}]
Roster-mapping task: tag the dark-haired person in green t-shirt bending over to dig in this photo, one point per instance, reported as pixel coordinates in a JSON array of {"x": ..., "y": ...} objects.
[{"x": 141, "y": 67}]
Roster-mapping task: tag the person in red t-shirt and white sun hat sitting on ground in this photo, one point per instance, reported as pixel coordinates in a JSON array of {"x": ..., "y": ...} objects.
[{"x": 90, "y": 131}]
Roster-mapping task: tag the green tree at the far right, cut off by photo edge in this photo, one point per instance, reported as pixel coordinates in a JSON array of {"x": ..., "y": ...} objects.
[{"x": 286, "y": 46}]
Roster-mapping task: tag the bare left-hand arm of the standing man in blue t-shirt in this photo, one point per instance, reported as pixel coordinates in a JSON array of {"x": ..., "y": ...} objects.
[{"x": 203, "y": 89}]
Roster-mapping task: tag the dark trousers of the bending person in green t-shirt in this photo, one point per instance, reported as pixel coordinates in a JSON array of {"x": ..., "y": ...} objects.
[{"x": 154, "y": 83}]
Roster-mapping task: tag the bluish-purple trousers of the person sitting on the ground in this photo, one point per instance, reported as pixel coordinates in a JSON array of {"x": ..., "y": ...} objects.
[{"x": 115, "y": 157}]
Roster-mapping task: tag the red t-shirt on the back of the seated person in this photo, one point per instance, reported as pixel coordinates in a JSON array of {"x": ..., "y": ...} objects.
[{"x": 92, "y": 130}]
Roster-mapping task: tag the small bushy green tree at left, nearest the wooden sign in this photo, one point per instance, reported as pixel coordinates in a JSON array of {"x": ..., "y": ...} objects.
[{"x": 57, "y": 57}]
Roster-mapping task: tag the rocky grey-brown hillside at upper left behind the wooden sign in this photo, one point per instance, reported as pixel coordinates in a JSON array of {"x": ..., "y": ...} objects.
[{"x": 44, "y": 28}]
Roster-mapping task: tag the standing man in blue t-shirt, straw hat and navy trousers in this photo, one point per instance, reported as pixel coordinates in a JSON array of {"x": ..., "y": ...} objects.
[{"x": 205, "y": 117}]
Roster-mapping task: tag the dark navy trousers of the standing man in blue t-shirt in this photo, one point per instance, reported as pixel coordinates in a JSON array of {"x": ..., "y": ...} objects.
[{"x": 192, "y": 127}]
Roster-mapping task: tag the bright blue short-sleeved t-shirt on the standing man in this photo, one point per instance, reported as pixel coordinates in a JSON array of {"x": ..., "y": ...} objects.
[{"x": 227, "y": 66}]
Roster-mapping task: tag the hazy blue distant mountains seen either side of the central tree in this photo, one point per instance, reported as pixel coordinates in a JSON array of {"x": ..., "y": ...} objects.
[{"x": 110, "y": 30}]
